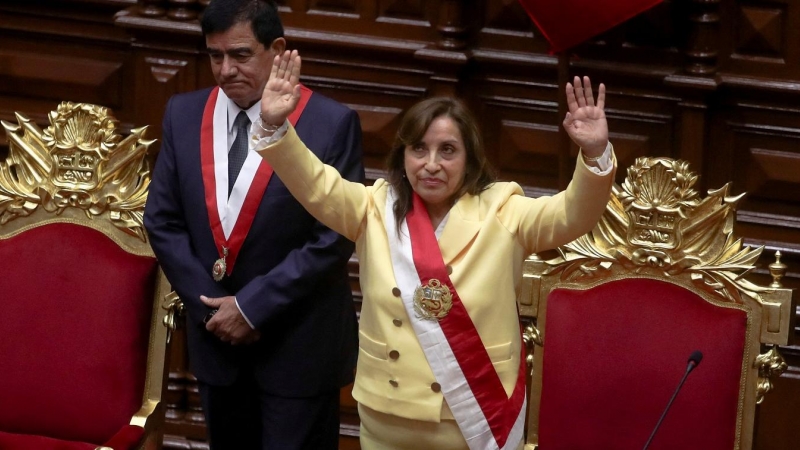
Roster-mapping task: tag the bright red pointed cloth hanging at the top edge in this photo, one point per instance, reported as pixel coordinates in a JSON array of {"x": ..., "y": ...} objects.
[{"x": 566, "y": 23}]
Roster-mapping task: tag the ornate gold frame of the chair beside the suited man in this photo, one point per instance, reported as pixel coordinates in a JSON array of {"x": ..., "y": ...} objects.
[{"x": 80, "y": 171}]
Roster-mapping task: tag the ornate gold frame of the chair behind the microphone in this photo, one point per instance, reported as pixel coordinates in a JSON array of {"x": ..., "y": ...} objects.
[{"x": 656, "y": 226}]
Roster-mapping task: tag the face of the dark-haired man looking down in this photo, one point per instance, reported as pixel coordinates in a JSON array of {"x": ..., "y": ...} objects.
[{"x": 240, "y": 63}]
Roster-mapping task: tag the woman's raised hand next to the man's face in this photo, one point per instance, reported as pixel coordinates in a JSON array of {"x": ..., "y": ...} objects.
[{"x": 282, "y": 91}]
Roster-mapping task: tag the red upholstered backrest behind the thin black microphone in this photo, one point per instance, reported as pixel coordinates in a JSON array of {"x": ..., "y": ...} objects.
[{"x": 613, "y": 356}]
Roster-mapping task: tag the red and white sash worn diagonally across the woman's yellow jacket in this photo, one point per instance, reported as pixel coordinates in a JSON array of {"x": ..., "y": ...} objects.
[{"x": 488, "y": 419}]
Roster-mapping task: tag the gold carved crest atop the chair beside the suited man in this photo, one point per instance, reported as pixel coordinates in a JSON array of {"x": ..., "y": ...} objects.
[{"x": 79, "y": 161}]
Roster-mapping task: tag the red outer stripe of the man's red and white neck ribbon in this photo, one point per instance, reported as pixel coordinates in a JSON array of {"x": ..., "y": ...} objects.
[{"x": 254, "y": 194}]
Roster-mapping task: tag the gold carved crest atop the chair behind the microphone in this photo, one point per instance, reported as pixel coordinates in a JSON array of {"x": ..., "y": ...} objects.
[{"x": 656, "y": 222}]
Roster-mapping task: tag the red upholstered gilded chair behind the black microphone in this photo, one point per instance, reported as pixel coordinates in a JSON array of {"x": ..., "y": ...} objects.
[{"x": 616, "y": 314}]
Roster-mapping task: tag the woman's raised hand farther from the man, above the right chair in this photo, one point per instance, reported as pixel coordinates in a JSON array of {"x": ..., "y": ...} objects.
[{"x": 586, "y": 121}]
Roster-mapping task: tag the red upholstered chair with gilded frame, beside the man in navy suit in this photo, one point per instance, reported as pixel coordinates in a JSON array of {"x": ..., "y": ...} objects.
[{"x": 82, "y": 344}]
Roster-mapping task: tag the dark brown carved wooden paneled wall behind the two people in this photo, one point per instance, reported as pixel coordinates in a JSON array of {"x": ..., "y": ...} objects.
[{"x": 713, "y": 82}]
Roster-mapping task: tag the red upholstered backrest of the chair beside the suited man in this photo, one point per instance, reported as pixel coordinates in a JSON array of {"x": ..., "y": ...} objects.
[{"x": 76, "y": 313}]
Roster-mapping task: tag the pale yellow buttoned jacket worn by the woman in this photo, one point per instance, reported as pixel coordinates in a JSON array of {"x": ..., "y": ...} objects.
[{"x": 484, "y": 242}]
